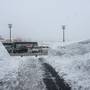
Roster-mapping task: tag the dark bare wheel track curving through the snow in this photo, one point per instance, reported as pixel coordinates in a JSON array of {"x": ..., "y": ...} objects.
[{"x": 51, "y": 78}]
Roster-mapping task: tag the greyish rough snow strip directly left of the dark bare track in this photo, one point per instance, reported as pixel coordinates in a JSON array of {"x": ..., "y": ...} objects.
[{"x": 30, "y": 74}]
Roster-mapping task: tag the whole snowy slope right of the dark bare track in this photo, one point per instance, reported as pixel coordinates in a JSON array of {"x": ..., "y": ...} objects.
[{"x": 72, "y": 62}]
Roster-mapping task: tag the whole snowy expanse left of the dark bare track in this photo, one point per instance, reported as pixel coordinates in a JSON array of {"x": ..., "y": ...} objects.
[{"x": 19, "y": 73}]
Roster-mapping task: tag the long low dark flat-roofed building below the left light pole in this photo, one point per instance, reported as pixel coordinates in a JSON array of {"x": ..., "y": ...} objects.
[{"x": 19, "y": 47}]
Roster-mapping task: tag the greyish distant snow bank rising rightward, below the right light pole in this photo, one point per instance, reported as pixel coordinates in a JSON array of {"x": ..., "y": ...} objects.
[{"x": 79, "y": 48}]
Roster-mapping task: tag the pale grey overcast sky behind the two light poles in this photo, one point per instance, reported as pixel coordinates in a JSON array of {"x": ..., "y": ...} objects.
[{"x": 42, "y": 19}]
